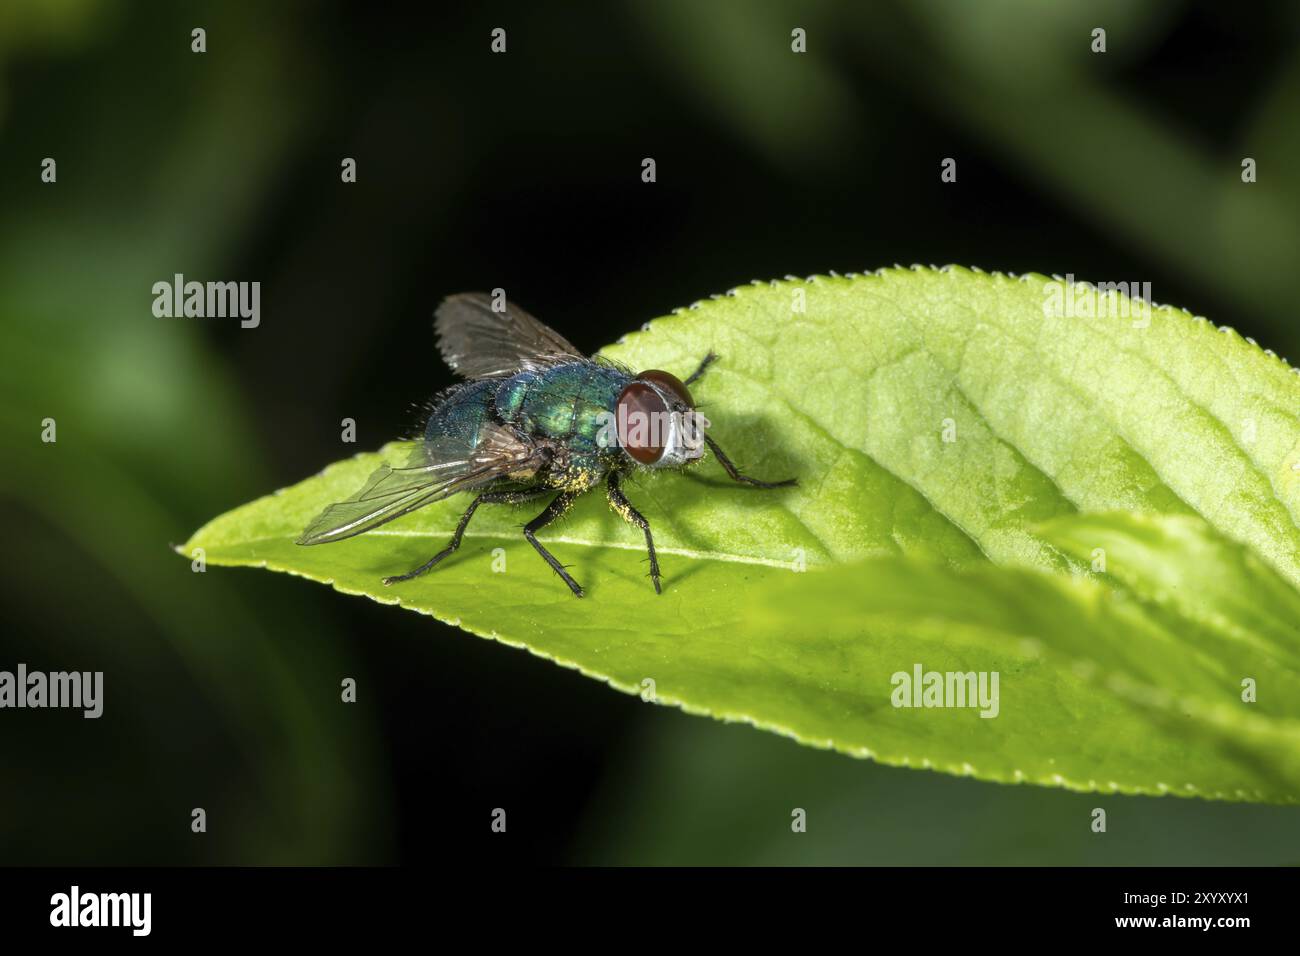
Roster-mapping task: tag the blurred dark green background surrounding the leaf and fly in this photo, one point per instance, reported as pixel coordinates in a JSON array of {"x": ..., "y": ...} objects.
[{"x": 523, "y": 171}]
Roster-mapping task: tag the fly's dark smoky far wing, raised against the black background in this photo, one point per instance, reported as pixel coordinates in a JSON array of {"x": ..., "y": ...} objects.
[{"x": 482, "y": 344}]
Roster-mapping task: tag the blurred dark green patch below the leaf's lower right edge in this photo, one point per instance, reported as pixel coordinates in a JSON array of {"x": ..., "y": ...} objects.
[{"x": 670, "y": 798}]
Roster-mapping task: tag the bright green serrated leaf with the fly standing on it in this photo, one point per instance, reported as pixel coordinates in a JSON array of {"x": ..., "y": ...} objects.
[{"x": 961, "y": 443}]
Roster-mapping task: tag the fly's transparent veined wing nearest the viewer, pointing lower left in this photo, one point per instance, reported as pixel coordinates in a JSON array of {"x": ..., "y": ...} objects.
[{"x": 437, "y": 470}]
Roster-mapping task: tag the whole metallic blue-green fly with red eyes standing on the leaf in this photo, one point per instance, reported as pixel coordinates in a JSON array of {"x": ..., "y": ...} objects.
[{"x": 535, "y": 418}]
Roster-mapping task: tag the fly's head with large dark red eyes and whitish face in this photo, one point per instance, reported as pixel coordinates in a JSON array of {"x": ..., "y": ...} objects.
[{"x": 656, "y": 422}]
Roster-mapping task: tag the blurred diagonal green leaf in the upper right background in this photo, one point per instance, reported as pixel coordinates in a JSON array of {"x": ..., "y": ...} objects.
[{"x": 1164, "y": 193}]
